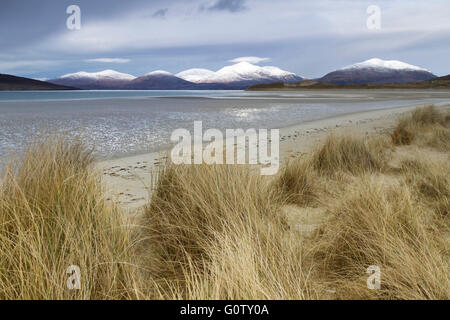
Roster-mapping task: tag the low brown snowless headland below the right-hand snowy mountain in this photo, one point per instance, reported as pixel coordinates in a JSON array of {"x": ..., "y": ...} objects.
[{"x": 437, "y": 83}]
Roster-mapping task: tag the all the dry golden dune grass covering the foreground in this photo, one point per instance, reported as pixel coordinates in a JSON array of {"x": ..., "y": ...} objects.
[{"x": 220, "y": 232}]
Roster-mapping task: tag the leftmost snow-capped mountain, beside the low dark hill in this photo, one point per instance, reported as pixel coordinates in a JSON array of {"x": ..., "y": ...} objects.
[{"x": 106, "y": 79}]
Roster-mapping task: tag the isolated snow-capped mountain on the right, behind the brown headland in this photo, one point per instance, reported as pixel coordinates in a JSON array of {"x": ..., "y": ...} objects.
[{"x": 378, "y": 71}]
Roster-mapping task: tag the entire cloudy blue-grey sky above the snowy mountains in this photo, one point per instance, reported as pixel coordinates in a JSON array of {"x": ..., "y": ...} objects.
[{"x": 310, "y": 38}]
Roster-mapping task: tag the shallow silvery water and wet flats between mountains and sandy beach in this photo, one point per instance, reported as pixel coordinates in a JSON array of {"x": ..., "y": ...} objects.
[{"x": 120, "y": 123}]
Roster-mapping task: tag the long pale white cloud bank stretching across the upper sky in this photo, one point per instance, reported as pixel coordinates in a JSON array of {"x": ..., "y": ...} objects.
[{"x": 288, "y": 20}]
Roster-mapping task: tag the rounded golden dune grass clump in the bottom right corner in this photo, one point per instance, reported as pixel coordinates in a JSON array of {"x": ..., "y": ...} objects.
[{"x": 382, "y": 225}]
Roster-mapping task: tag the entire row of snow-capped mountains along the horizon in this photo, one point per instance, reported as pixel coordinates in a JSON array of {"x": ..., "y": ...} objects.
[{"x": 238, "y": 76}]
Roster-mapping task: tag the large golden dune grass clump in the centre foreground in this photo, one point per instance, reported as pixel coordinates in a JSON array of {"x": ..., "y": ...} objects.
[{"x": 217, "y": 232}]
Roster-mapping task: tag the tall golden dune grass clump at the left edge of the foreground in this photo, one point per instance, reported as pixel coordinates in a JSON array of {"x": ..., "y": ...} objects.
[{"x": 53, "y": 215}]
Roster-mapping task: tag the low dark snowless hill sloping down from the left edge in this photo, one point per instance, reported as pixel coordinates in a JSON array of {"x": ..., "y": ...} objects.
[{"x": 9, "y": 82}]
